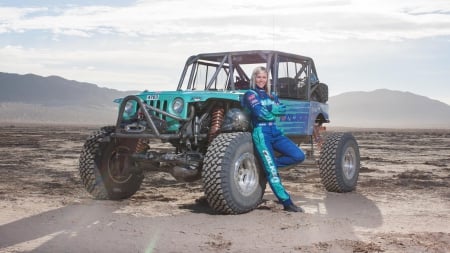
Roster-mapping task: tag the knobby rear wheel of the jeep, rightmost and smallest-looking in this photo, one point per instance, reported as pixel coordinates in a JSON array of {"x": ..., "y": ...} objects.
[{"x": 339, "y": 163}]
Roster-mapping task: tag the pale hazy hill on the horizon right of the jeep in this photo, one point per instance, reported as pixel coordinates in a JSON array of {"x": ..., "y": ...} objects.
[{"x": 388, "y": 109}]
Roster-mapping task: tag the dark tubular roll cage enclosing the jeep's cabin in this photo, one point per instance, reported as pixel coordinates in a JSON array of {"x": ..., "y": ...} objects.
[{"x": 291, "y": 76}]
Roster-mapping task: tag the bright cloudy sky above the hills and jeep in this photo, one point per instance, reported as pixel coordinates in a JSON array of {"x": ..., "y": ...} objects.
[{"x": 360, "y": 45}]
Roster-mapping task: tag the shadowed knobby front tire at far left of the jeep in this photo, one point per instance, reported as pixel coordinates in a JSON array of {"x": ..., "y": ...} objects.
[{"x": 106, "y": 168}]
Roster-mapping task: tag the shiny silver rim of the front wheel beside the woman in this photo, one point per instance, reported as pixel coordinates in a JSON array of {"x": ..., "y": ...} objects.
[{"x": 246, "y": 174}]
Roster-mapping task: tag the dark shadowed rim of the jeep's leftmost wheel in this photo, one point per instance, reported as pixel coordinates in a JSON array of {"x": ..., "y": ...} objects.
[{"x": 119, "y": 165}]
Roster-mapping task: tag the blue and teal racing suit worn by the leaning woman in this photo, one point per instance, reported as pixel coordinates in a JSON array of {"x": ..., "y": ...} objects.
[{"x": 267, "y": 138}]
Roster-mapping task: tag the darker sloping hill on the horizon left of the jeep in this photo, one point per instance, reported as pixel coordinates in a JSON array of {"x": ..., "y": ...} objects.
[{"x": 35, "y": 99}]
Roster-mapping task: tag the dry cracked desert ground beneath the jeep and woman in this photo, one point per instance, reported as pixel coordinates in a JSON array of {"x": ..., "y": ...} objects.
[{"x": 401, "y": 204}]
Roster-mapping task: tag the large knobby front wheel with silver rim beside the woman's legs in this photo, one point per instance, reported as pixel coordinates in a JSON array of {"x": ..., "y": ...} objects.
[{"x": 233, "y": 179}]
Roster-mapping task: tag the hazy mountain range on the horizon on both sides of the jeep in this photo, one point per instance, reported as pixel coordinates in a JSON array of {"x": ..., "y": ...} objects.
[{"x": 35, "y": 99}]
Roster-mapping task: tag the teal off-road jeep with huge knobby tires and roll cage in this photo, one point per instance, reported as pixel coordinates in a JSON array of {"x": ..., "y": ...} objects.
[{"x": 210, "y": 134}]
